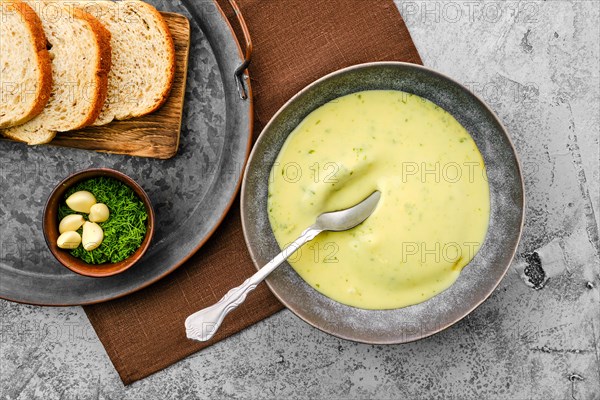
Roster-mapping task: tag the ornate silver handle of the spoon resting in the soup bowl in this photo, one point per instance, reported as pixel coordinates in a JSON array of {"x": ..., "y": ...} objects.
[{"x": 202, "y": 325}]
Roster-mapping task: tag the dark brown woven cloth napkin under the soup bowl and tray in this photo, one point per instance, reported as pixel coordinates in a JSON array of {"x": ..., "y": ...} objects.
[{"x": 295, "y": 42}]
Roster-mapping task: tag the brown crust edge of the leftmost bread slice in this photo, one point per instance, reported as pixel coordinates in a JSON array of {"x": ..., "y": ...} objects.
[{"x": 44, "y": 87}]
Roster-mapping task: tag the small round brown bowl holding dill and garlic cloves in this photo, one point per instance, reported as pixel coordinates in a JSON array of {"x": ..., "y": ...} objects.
[{"x": 50, "y": 225}]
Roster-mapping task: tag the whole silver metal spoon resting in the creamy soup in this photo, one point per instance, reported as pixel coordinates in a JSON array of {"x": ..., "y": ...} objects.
[{"x": 202, "y": 325}]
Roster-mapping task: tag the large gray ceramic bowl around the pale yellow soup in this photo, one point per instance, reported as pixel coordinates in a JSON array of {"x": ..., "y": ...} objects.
[{"x": 477, "y": 280}]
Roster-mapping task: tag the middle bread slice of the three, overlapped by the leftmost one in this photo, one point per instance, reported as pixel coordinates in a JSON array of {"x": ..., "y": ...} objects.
[{"x": 81, "y": 59}]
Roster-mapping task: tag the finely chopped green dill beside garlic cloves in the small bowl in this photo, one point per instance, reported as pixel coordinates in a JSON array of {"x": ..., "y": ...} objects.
[{"x": 124, "y": 230}]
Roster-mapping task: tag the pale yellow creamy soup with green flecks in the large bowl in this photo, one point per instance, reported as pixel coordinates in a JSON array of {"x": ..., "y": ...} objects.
[{"x": 434, "y": 209}]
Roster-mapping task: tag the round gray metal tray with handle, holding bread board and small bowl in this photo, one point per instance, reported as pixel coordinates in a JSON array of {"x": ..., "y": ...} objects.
[{"x": 191, "y": 192}]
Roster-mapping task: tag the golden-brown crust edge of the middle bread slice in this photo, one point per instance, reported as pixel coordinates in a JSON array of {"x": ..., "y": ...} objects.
[{"x": 102, "y": 36}]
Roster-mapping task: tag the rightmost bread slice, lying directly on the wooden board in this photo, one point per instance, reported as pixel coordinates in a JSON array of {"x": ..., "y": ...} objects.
[{"x": 143, "y": 58}]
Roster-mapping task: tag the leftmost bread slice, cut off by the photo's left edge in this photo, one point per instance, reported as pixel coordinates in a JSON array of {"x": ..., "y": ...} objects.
[{"x": 25, "y": 68}]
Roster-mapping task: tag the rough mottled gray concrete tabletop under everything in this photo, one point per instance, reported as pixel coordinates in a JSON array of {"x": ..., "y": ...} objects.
[{"x": 537, "y": 64}]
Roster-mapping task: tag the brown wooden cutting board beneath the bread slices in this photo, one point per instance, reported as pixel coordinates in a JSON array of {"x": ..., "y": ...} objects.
[{"x": 155, "y": 135}]
